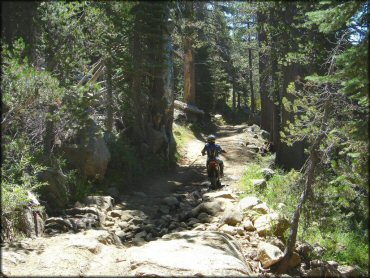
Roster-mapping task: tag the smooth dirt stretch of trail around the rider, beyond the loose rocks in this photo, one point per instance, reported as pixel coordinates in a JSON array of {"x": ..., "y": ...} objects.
[{"x": 191, "y": 171}]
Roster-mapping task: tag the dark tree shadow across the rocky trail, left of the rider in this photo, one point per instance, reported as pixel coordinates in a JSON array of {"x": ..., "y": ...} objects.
[{"x": 163, "y": 204}]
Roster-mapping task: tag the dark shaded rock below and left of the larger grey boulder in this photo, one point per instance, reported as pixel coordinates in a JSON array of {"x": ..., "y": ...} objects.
[{"x": 54, "y": 192}]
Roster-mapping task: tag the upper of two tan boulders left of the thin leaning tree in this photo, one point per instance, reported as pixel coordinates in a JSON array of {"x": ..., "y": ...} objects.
[{"x": 271, "y": 224}]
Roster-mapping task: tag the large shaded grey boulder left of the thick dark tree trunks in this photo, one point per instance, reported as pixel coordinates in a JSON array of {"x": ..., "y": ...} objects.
[{"x": 91, "y": 154}]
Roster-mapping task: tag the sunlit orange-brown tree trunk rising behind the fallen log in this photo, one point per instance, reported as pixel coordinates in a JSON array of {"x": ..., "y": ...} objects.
[{"x": 189, "y": 91}]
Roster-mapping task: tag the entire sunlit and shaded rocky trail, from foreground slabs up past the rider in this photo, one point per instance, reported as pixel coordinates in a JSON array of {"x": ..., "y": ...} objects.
[{"x": 171, "y": 225}]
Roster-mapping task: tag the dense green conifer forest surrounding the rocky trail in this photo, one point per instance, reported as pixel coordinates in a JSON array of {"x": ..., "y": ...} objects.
[{"x": 96, "y": 81}]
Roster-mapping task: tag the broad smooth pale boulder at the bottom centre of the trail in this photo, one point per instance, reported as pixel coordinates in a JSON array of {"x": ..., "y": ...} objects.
[{"x": 190, "y": 253}]
